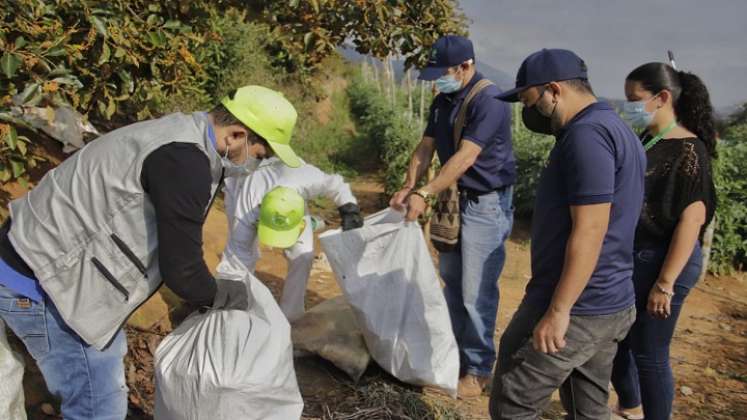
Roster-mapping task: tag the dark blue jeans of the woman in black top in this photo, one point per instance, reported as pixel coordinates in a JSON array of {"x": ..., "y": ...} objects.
[{"x": 642, "y": 373}]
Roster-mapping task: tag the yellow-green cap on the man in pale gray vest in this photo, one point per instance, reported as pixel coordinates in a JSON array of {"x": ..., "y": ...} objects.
[{"x": 268, "y": 114}]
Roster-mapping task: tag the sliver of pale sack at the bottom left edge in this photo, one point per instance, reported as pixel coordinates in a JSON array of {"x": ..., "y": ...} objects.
[{"x": 11, "y": 381}]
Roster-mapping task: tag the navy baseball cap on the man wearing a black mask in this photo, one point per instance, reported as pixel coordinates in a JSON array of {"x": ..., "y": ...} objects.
[{"x": 548, "y": 65}]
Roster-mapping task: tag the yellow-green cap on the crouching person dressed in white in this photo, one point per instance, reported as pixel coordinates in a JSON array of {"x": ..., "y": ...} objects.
[{"x": 281, "y": 217}]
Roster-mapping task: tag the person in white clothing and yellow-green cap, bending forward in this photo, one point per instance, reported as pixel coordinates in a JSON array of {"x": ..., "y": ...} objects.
[{"x": 268, "y": 207}]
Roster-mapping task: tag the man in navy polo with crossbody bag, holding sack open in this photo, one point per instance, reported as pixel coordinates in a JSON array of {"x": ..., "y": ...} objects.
[{"x": 484, "y": 169}]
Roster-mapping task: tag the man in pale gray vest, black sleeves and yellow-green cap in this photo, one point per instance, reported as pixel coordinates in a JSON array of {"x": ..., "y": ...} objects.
[{"x": 100, "y": 233}]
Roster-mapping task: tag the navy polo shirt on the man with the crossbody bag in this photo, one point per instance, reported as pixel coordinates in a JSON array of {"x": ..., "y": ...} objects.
[{"x": 487, "y": 124}]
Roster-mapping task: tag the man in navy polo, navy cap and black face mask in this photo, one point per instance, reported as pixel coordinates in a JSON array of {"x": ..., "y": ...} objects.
[{"x": 579, "y": 302}]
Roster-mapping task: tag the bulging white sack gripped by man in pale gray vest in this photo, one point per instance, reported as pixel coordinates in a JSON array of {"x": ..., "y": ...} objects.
[{"x": 229, "y": 364}]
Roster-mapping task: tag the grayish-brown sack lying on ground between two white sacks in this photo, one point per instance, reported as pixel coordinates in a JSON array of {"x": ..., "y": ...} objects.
[{"x": 329, "y": 330}]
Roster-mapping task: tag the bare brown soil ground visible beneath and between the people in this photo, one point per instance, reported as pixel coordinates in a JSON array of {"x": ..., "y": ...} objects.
[{"x": 709, "y": 350}]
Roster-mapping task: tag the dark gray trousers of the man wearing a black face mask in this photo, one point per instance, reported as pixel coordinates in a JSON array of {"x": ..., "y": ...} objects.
[{"x": 525, "y": 379}]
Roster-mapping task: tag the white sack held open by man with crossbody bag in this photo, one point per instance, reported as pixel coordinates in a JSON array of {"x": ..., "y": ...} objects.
[{"x": 387, "y": 275}]
